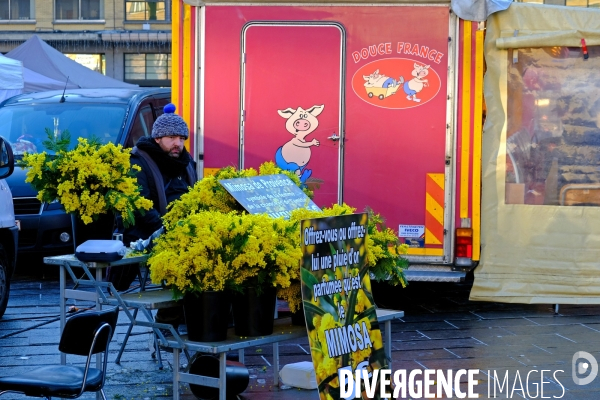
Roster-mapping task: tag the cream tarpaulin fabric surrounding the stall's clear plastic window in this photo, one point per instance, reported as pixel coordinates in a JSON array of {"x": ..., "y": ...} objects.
[{"x": 541, "y": 253}]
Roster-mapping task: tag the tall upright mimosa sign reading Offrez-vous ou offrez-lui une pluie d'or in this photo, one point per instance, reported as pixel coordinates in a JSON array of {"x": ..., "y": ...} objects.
[{"x": 338, "y": 305}]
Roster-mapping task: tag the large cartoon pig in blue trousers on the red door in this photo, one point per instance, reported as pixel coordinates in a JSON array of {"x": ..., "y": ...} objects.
[{"x": 295, "y": 154}]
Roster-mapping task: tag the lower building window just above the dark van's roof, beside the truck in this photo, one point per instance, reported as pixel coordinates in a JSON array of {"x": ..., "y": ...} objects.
[{"x": 148, "y": 69}]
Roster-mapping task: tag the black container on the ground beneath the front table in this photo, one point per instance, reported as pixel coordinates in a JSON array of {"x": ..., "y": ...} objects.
[{"x": 237, "y": 376}]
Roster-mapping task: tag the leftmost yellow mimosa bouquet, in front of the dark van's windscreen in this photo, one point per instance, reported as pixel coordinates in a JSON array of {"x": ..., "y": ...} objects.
[{"x": 89, "y": 180}]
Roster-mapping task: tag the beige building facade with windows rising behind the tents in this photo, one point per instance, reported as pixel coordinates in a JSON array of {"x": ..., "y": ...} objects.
[{"x": 124, "y": 39}]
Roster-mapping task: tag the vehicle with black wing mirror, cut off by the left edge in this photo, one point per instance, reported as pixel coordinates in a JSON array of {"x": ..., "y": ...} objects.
[{"x": 8, "y": 228}]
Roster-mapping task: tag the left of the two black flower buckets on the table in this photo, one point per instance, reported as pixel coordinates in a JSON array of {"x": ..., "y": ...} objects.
[{"x": 207, "y": 315}]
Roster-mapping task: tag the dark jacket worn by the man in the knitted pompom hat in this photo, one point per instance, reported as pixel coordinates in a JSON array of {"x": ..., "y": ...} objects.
[{"x": 176, "y": 180}]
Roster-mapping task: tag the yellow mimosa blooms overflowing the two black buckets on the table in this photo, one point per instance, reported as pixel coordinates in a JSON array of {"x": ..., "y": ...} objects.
[{"x": 211, "y": 250}]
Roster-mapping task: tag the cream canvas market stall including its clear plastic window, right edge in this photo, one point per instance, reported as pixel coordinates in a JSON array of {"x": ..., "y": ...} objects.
[{"x": 541, "y": 157}]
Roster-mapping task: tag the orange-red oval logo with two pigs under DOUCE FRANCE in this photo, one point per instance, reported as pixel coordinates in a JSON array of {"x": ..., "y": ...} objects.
[{"x": 396, "y": 83}]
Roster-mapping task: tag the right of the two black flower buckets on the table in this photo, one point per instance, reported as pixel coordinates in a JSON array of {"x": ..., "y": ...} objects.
[{"x": 253, "y": 315}]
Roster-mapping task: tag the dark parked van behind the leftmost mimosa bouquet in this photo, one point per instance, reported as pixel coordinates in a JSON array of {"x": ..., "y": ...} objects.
[{"x": 120, "y": 116}]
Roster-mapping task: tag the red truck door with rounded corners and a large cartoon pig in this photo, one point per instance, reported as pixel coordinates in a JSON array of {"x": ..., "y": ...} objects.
[{"x": 291, "y": 109}]
